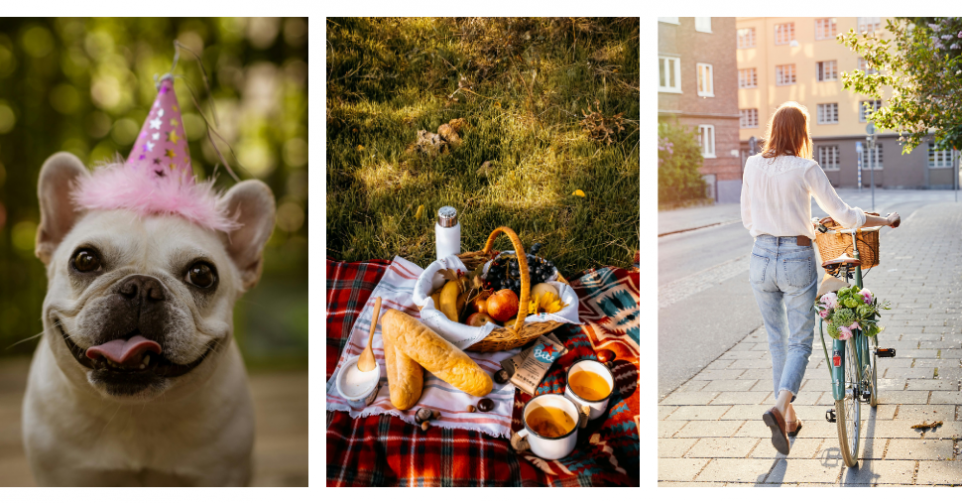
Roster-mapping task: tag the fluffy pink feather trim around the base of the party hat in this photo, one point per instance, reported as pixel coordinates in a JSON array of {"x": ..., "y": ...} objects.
[{"x": 119, "y": 186}]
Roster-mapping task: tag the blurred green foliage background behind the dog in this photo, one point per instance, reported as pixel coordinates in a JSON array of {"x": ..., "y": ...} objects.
[{"x": 86, "y": 85}]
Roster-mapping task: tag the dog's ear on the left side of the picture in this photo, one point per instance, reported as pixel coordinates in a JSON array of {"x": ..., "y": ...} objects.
[{"x": 57, "y": 212}]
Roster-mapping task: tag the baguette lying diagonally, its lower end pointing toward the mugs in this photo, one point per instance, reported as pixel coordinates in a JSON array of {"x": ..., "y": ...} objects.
[{"x": 434, "y": 353}]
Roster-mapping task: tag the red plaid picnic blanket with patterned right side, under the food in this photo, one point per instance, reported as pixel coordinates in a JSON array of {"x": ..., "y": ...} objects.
[{"x": 385, "y": 451}]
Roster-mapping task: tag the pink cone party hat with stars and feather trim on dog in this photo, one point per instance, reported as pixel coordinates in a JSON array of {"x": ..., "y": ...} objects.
[{"x": 157, "y": 177}]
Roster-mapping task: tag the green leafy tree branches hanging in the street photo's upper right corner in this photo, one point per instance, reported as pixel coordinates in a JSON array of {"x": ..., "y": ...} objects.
[{"x": 922, "y": 63}]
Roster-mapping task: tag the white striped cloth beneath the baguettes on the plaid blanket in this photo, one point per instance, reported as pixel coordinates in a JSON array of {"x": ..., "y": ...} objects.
[{"x": 395, "y": 290}]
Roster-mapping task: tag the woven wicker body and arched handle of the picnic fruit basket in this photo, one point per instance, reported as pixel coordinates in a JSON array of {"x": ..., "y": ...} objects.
[{"x": 509, "y": 337}]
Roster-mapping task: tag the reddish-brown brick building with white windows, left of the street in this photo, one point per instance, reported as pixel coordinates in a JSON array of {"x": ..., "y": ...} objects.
[{"x": 698, "y": 87}]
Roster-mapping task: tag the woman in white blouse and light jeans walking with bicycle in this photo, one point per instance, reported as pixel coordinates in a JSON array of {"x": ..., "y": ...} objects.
[{"x": 777, "y": 191}]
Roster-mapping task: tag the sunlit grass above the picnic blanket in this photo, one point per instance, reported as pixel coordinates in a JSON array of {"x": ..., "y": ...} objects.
[{"x": 522, "y": 86}]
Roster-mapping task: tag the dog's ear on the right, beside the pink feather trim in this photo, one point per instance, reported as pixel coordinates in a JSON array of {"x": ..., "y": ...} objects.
[{"x": 252, "y": 202}]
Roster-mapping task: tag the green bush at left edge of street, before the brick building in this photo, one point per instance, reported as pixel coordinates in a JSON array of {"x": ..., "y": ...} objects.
[{"x": 679, "y": 158}]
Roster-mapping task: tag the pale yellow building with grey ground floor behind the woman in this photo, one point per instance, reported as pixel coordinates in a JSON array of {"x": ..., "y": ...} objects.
[{"x": 799, "y": 59}]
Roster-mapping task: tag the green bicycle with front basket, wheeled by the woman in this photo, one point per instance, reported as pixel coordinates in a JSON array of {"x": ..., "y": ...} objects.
[{"x": 854, "y": 379}]
